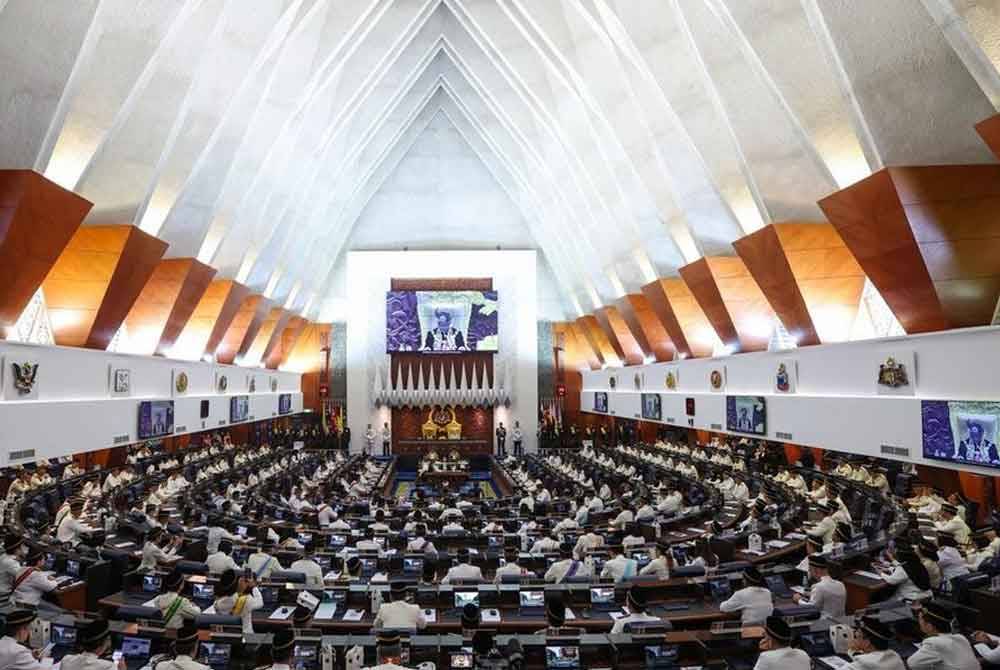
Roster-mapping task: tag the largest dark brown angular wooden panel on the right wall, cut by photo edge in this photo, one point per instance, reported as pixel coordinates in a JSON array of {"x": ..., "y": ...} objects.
[{"x": 928, "y": 237}]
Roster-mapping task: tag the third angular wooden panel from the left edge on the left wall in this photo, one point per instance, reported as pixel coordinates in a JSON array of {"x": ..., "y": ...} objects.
[{"x": 165, "y": 304}]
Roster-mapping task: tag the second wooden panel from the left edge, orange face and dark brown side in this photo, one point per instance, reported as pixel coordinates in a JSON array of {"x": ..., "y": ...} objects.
[{"x": 96, "y": 280}]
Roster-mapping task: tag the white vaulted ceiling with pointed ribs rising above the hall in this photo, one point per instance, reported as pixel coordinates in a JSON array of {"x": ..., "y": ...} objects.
[{"x": 633, "y": 136}]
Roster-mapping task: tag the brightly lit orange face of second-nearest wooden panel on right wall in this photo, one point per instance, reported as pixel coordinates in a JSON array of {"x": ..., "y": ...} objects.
[{"x": 829, "y": 277}]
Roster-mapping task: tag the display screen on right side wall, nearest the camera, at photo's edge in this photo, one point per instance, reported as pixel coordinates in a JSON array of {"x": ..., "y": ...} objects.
[{"x": 961, "y": 431}]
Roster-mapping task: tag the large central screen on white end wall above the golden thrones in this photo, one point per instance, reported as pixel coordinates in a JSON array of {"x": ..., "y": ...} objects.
[{"x": 441, "y": 322}]
